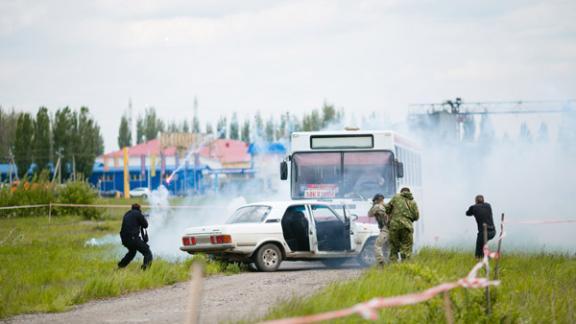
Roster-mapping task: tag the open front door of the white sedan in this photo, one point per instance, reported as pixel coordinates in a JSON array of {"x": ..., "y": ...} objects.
[{"x": 332, "y": 232}]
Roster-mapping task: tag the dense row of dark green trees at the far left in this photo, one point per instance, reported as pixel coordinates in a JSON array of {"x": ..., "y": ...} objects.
[{"x": 40, "y": 139}]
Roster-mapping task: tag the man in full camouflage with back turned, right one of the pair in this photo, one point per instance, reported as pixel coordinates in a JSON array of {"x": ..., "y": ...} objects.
[{"x": 403, "y": 212}]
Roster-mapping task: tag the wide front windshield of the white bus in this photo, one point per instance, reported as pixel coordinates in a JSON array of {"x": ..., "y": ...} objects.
[{"x": 343, "y": 174}]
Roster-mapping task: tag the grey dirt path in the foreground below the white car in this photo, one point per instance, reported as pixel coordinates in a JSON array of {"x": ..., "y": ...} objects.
[{"x": 225, "y": 298}]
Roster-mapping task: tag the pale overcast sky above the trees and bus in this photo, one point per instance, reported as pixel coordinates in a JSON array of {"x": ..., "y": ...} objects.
[{"x": 274, "y": 56}]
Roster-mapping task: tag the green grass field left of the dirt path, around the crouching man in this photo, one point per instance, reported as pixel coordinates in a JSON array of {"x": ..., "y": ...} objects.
[{"x": 47, "y": 267}]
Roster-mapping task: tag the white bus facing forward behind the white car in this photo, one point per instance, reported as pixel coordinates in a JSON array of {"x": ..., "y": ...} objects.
[{"x": 352, "y": 165}]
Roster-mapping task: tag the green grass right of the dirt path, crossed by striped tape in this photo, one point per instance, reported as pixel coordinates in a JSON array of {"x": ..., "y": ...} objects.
[{"x": 538, "y": 288}]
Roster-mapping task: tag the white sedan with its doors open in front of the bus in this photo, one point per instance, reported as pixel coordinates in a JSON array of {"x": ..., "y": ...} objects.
[{"x": 267, "y": 233}]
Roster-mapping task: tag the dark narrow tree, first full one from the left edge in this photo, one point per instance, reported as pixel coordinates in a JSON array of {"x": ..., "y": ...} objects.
[{"x": 23, "y": 144}]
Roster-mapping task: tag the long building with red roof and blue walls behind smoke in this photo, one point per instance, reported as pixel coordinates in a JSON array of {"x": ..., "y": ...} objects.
[{"x": 165, "y": 161}]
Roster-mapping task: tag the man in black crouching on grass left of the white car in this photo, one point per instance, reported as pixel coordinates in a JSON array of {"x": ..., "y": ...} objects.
[{"x": 133, "y": 224}]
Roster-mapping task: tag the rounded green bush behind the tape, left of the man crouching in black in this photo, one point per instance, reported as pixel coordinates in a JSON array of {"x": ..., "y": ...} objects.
[{"x": 77, "y": 193}]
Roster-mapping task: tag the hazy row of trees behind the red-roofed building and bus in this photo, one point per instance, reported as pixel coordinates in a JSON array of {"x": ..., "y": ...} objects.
[{"x": 149, "y": 125}]
